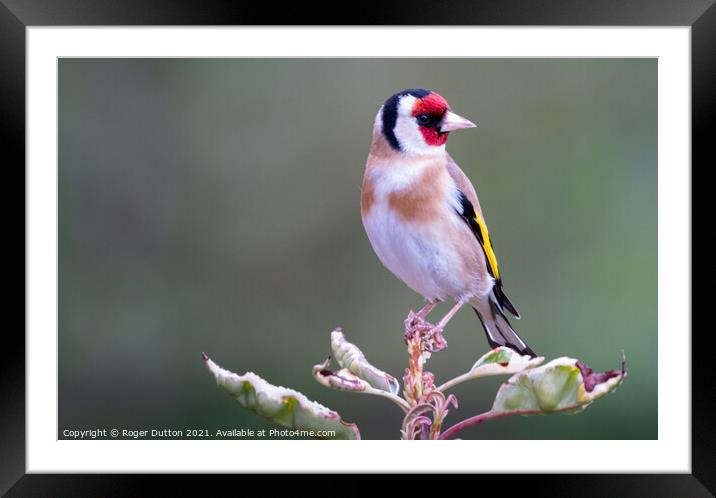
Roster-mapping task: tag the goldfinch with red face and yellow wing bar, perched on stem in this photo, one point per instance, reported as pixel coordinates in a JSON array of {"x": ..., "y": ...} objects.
[{"x": 424, "y": 220}]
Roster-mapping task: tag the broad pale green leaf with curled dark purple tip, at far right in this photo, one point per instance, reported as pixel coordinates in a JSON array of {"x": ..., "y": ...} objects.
[{"x": 563, "y": 385}]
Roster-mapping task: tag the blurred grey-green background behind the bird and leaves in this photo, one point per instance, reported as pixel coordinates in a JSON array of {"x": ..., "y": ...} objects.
[{"x": 213, "y": 205}]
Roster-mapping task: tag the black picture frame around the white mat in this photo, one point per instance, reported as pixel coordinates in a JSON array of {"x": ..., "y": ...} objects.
[{"x": 16, "y": 15}]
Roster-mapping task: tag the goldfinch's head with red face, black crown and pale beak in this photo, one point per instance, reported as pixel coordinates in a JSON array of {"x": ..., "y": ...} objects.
[{"x": 417, "y": 121}]
